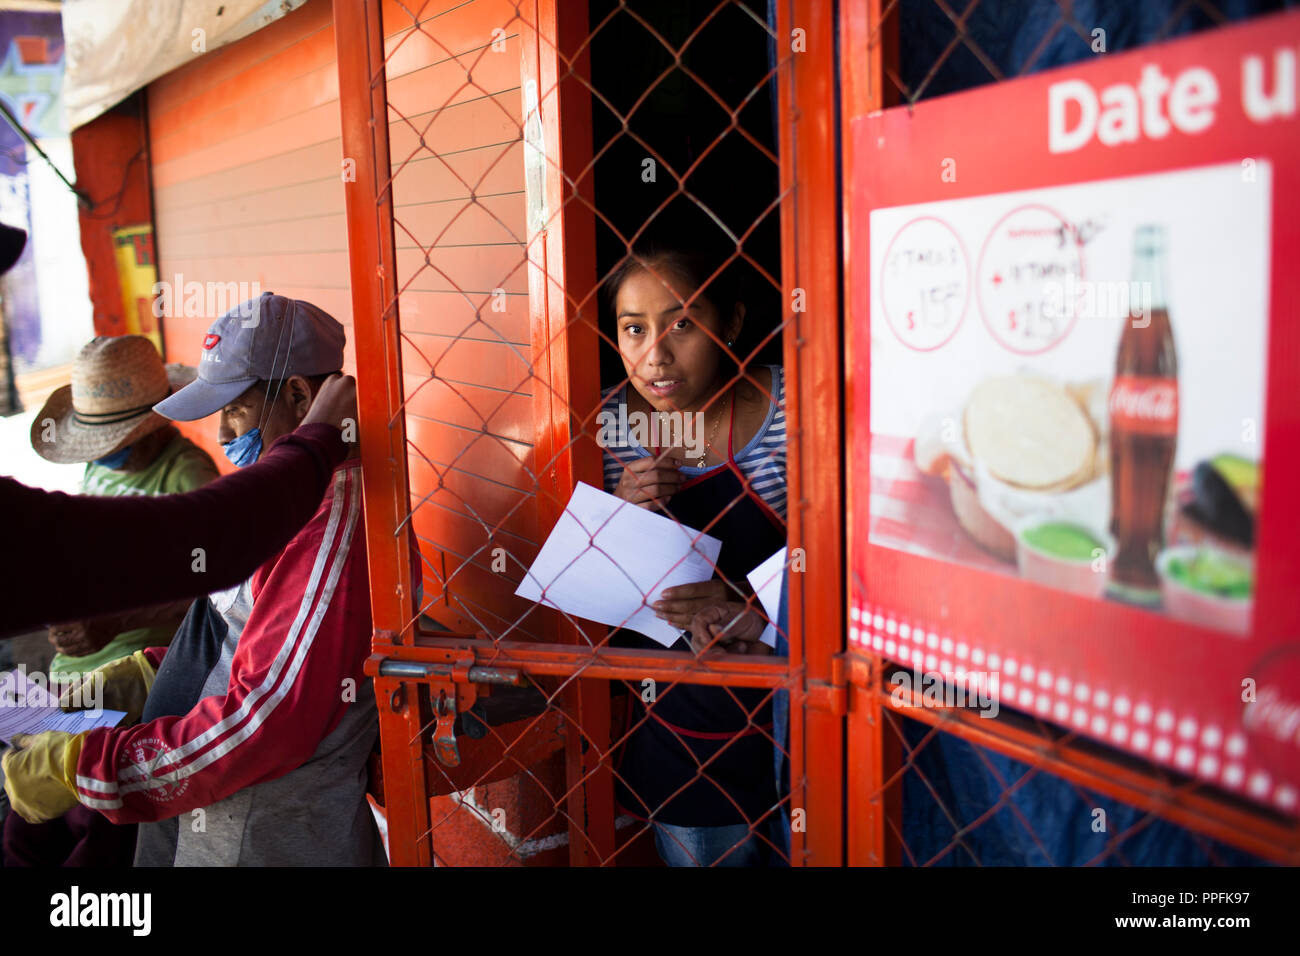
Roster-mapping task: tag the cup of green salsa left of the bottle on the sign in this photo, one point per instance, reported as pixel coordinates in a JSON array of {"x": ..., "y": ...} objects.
[{"x": 1064, "y": 555}]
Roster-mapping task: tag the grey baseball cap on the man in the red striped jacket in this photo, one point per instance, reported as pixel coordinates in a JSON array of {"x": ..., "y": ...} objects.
[{"x": 267, "y": 339}]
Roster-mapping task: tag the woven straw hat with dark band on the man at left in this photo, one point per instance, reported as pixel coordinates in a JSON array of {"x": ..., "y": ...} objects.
[{"x": 110, "y": 404}]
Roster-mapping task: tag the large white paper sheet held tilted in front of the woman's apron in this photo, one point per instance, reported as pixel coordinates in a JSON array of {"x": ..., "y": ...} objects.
[{"x": 609, "y": 561}]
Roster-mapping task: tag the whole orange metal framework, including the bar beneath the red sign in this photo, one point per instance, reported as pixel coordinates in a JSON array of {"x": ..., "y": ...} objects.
[{"x": 847, "y": 760}]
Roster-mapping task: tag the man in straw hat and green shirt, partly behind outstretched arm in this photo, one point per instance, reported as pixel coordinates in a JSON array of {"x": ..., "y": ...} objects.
[{"x": 106, "y": 419}]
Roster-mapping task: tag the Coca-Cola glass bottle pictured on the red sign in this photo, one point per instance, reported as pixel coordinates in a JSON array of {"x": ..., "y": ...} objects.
[{"x": 1143, "y": 430}]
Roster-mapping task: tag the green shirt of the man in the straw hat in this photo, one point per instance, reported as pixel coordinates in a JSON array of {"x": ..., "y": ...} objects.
[{"x": 183, "y": 466}]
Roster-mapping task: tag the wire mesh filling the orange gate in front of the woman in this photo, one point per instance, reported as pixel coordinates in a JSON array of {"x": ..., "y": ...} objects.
[{"x": 682, "y": 194}]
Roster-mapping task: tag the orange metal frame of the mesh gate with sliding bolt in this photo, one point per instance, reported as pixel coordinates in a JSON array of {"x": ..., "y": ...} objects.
[{"x": 562, "y": 272}]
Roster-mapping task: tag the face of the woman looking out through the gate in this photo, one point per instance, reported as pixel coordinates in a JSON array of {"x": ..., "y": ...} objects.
[{"x": 670, "y": 352}]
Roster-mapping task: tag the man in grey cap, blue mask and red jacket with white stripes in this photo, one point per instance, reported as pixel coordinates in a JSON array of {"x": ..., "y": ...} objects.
[{"x": 261, "y": 721}]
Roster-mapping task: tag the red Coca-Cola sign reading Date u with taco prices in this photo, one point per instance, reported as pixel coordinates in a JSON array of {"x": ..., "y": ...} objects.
[{"x": 1074, "y": 426}]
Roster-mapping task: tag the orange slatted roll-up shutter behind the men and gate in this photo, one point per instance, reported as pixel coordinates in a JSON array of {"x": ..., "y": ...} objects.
[{"x": 249, "y": 188}]
